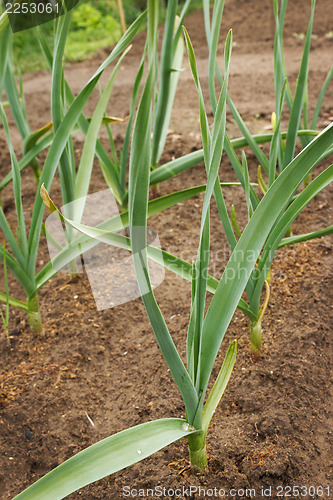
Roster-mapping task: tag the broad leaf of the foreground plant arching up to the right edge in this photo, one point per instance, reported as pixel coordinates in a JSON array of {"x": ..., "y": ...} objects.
[{"x": 244, "y": 256}]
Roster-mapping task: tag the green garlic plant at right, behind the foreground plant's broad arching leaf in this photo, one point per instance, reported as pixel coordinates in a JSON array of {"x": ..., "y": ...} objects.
[{"x": 282, "y": 151}]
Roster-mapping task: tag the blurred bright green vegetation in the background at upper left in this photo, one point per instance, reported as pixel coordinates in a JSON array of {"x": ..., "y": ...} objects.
[{"x": 95, "y": 25}]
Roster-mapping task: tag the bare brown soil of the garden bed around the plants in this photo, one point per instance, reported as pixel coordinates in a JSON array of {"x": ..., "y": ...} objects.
[{"x": 274, "y": 425}]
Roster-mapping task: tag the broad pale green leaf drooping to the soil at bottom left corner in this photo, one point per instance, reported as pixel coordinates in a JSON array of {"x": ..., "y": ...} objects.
[{"x": 106, "y": 457}]
